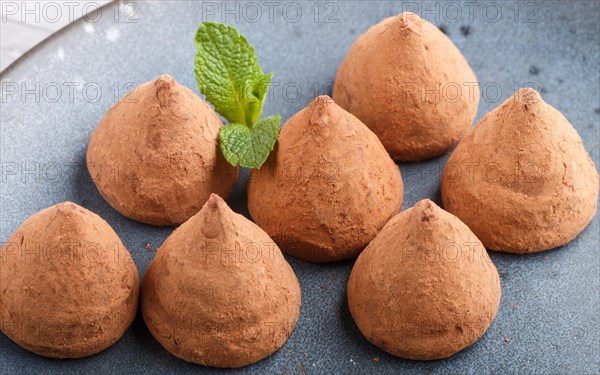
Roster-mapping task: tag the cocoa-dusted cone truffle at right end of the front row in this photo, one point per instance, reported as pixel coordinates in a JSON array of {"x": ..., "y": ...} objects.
[{"x": 424, "y": 288}]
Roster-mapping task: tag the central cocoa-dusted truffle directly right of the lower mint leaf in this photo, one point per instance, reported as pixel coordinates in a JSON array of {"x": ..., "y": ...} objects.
[{"x": 328, "y": 187}]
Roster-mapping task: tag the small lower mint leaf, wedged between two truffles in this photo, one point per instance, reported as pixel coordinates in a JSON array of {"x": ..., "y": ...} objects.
[{"x": 249, "y": 147}]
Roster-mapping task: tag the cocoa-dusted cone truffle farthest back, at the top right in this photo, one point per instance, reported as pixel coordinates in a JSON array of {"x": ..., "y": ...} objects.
[{"x": 410, "y": 85}]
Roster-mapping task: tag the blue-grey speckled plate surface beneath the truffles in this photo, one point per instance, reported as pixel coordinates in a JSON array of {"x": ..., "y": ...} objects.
[{"x": 548, "y": 320}]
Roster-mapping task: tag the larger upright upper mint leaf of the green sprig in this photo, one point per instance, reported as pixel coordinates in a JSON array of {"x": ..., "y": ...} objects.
[{"x": 228, "y": 73}]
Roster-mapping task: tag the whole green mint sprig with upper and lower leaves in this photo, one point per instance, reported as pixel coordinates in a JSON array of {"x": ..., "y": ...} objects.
[{"x": 231, "y": 79}]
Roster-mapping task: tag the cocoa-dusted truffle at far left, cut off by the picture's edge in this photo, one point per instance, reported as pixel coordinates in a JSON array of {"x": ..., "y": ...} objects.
[{"x": 68, "y": 286}]
